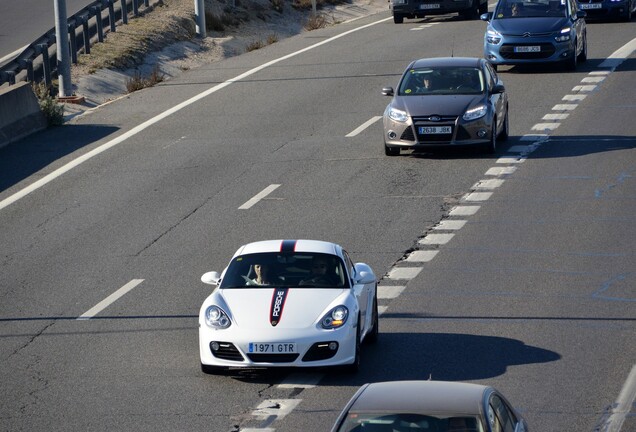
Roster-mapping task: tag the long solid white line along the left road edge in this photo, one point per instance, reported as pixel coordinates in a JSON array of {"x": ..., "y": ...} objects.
[{"x": 60, "y": 171}]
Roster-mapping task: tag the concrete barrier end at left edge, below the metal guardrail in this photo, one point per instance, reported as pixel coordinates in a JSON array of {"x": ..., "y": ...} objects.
[{"x": 20, "y": 113}]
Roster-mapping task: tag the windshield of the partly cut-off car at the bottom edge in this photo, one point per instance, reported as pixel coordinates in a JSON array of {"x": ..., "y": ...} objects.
[{"x": 375, "y": 422}]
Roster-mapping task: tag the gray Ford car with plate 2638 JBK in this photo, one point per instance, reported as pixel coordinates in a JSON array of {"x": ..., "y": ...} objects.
[{"x": 446, "y": 101}]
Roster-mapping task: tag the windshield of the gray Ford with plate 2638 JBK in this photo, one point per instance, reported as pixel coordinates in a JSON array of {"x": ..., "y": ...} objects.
[{"x": 442, "y": 80}]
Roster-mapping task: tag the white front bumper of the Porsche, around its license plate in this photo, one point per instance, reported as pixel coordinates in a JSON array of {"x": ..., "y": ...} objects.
[{"x": 312, "y": 347}]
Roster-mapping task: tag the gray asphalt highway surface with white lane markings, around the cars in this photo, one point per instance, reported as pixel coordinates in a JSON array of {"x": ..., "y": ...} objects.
[{"x": 524, "y": 280}]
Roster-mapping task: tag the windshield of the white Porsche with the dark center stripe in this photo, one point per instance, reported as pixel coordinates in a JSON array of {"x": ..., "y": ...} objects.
[{"x": 286, "y": 269}]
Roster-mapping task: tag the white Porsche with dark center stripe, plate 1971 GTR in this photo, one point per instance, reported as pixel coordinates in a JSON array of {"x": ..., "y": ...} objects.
[{"x": 288, "y": 303}]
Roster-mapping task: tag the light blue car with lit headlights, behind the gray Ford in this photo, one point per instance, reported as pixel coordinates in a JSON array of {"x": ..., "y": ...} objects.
[{"x": 535, "y": 31}]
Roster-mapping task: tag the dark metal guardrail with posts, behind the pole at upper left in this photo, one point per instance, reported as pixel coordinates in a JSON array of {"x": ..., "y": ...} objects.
[{"x": 38, "y": 61}]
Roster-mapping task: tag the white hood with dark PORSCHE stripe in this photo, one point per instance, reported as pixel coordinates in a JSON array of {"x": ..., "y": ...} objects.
[{"x": 282, "y": 308}]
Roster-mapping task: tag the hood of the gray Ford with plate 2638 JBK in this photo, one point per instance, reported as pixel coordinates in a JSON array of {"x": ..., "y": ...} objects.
[{"x": 442, "y": 105}]
